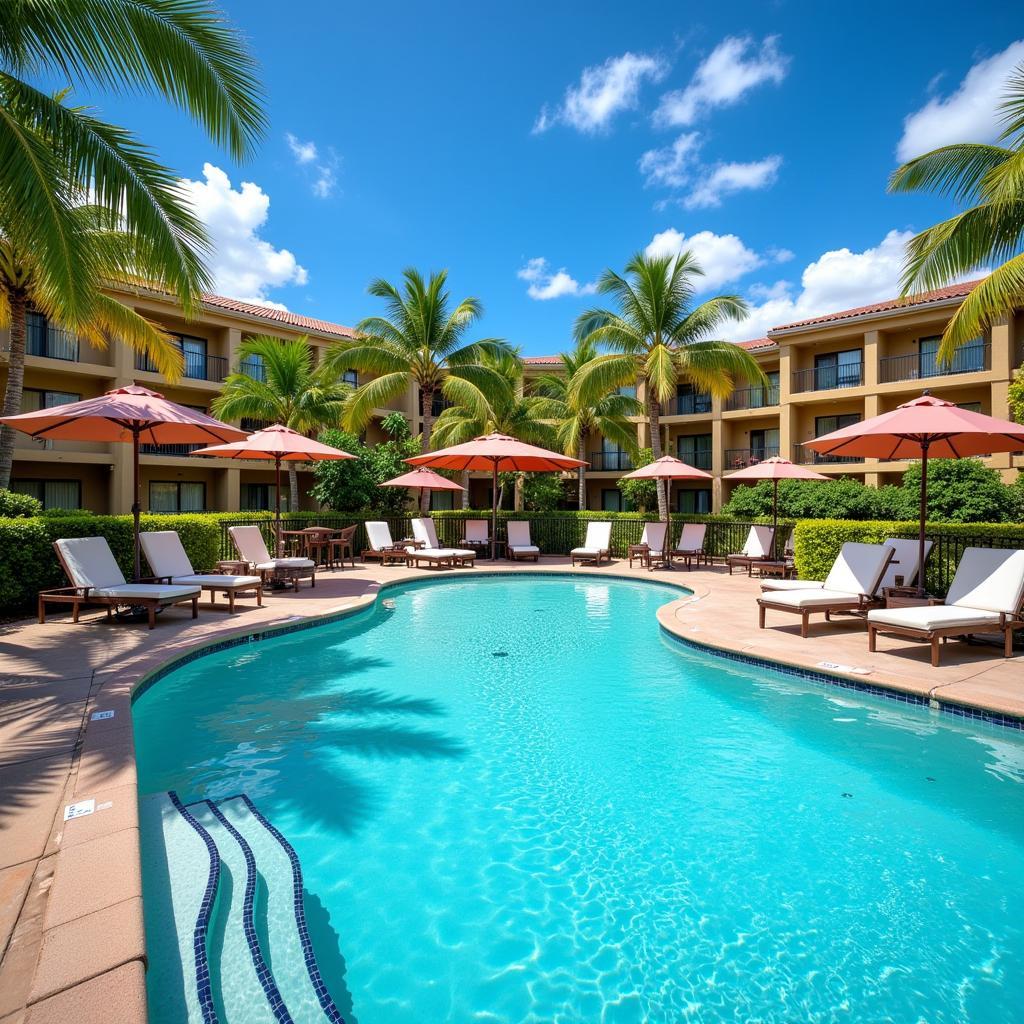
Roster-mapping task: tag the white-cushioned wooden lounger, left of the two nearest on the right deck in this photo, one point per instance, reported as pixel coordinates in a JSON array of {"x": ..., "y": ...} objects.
[{"x": 850, "y": 586}]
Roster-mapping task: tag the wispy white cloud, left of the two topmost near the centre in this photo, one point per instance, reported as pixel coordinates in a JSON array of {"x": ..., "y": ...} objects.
[{"x": 604, "y": 91}]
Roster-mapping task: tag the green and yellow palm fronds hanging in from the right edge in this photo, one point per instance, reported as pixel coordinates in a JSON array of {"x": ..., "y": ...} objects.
[{"x": 990, "y": 182}]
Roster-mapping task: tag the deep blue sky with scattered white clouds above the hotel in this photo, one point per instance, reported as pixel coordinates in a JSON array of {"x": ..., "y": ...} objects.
[{"x": 528, "y": 149}]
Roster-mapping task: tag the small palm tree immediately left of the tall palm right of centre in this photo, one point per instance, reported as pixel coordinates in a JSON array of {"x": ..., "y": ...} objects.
[{"x": 607, "y": 415}]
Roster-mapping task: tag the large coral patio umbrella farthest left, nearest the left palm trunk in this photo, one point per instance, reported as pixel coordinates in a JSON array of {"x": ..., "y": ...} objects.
[{"x": 126, "y": 414}]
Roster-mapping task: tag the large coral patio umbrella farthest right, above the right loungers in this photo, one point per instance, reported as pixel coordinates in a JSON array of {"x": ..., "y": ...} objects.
[{"x": 927, "y": 428}]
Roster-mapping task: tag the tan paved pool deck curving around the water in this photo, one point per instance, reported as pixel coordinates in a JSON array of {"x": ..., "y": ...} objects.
[{"x": 72, "y": 944}]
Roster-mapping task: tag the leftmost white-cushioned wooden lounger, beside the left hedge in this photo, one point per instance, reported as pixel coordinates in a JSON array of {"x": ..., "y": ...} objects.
[{"x": 97, "y": 579}]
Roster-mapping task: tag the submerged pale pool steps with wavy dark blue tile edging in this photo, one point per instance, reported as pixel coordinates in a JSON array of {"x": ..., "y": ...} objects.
[{"x": 241, "y": 841}]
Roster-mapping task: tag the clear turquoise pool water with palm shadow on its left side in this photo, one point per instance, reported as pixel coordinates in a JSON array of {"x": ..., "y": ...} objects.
[{"x": 516, "y": 800}]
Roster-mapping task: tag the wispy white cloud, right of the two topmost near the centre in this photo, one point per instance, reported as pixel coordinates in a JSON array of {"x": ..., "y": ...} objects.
[{"x": 735, "y": 67}]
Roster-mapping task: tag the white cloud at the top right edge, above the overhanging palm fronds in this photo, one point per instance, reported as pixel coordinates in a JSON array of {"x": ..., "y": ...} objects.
[{"x": 969, "y": 115}]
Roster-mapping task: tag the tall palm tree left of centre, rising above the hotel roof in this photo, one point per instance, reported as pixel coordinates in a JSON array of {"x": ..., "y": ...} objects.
[{"x": 421, "y": 343}]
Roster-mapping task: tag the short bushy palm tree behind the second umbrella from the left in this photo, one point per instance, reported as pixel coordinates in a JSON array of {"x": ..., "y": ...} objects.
[{"x": 291, "y": 389}]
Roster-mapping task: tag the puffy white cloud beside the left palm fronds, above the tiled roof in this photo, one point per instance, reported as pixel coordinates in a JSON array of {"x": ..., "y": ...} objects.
[{"x": 244, "y": 266}]
